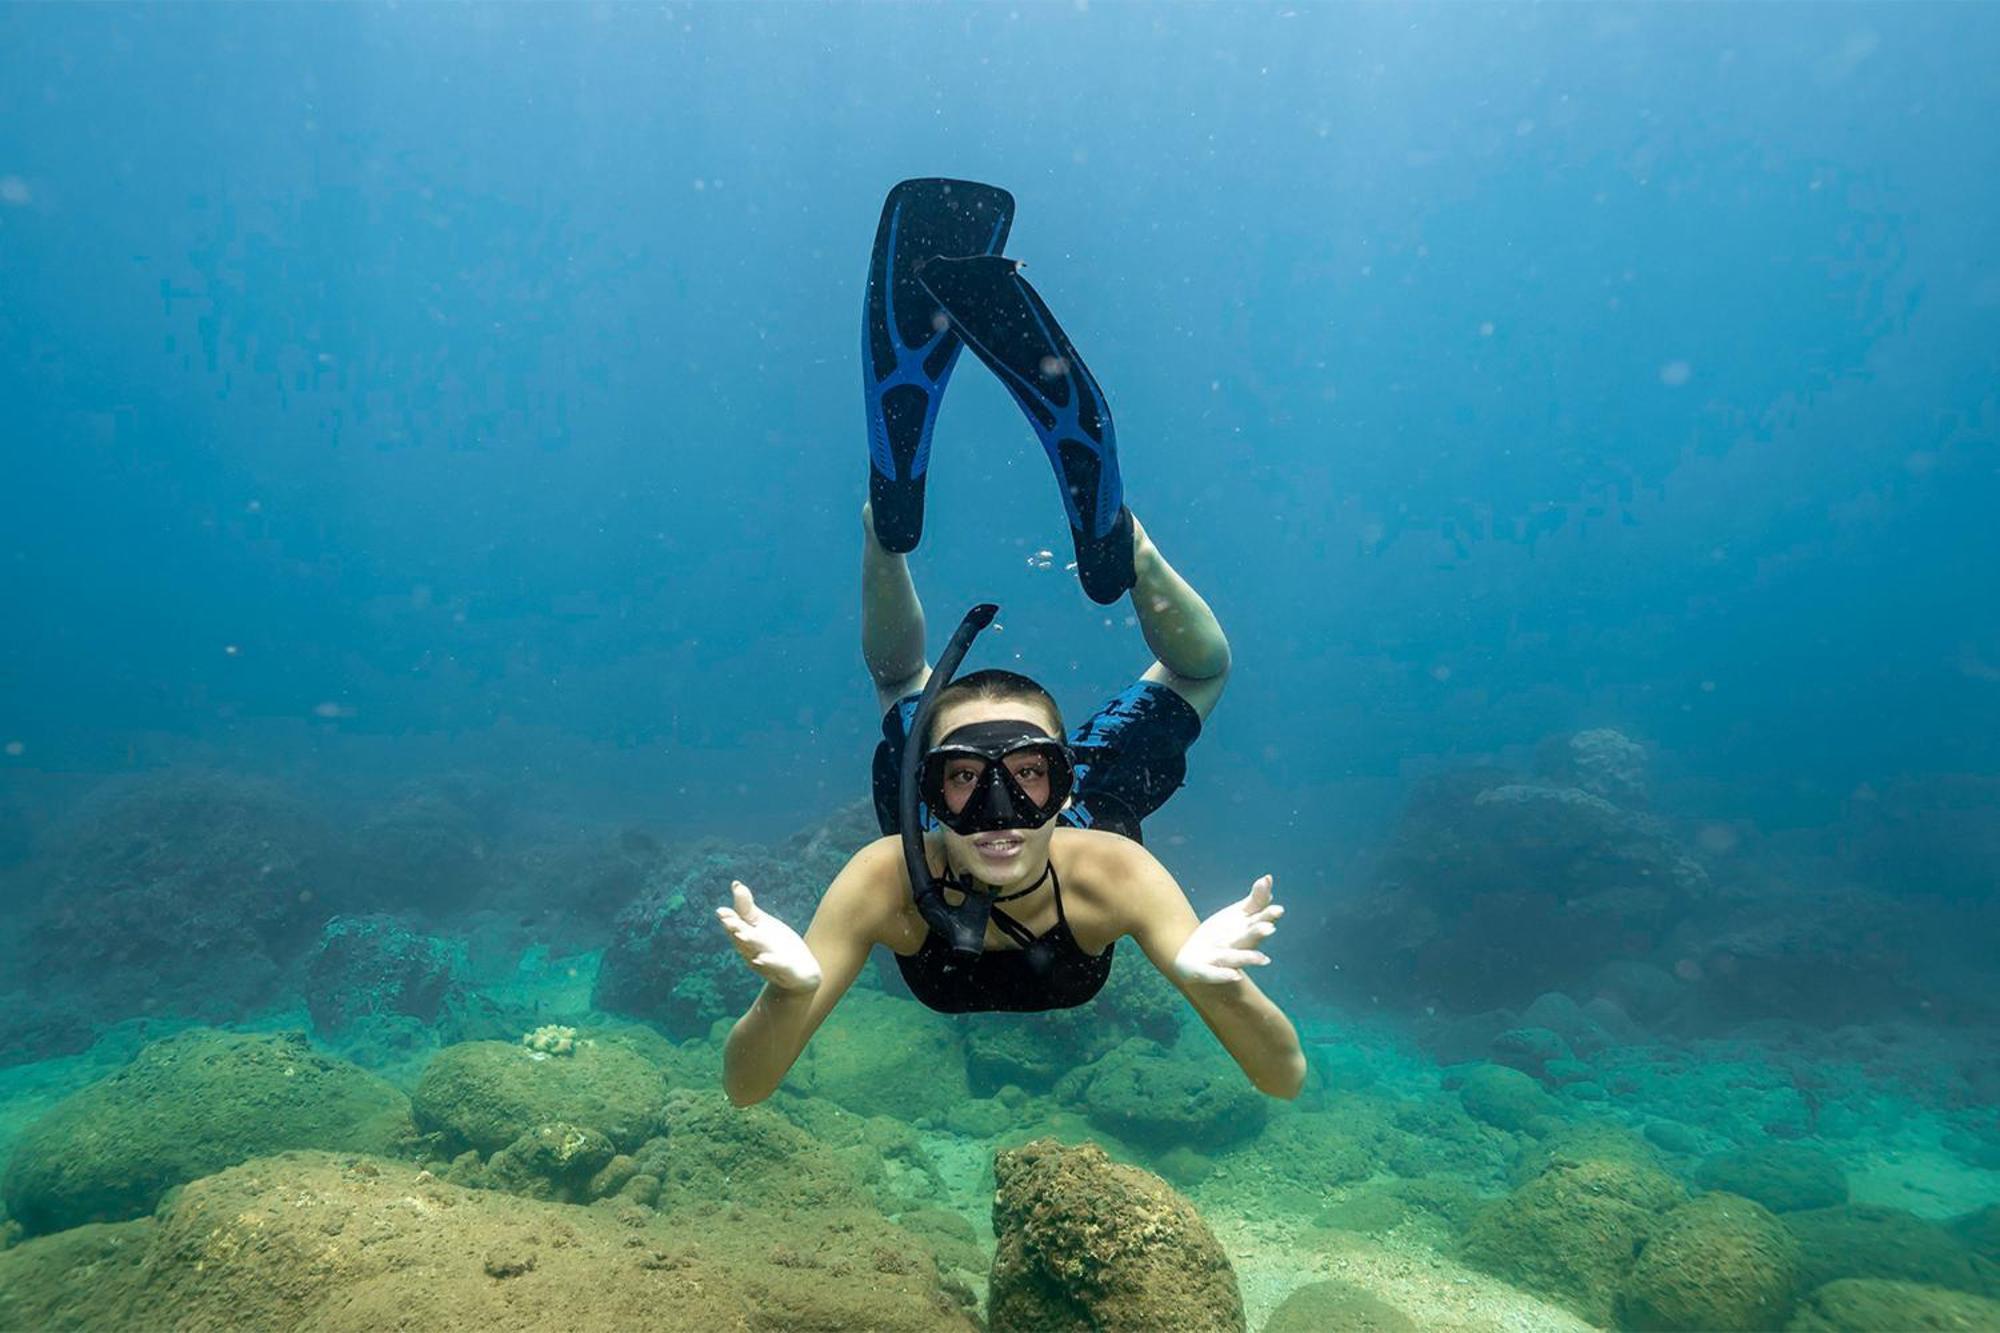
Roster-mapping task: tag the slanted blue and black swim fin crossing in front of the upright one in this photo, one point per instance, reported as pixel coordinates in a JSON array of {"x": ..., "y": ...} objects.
[{"x": 1011, "y": 329}]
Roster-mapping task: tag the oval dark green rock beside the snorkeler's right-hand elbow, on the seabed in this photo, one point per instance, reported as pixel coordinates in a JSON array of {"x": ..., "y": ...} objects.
[{"x": 1159, "y": 1100}]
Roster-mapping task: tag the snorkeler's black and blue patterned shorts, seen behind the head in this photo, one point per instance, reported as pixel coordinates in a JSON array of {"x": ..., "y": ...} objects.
[{"x": 1131, "y": 758}]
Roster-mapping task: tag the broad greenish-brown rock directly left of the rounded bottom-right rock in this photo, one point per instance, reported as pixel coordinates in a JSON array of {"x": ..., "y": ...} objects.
[{"x": 1571, "y": 1234}]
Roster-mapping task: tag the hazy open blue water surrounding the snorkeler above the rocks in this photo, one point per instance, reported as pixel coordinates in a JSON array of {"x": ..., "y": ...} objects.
[{"x": 415, "y": 391}]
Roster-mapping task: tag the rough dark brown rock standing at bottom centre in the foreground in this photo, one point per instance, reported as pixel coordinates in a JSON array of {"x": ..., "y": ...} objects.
[{"x": 1087, "y": 1244}]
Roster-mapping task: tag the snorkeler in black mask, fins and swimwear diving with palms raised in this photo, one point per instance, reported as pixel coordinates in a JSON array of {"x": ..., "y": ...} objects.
[{"x": 1025, "y": 818}]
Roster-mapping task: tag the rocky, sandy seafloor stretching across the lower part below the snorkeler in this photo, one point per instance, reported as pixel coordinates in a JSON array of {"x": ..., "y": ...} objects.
[{"x": 459, "y": 1120}]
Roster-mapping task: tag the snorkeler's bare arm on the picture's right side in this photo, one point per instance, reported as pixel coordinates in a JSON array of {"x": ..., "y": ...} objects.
[{"x": 1255, "y": 1032}]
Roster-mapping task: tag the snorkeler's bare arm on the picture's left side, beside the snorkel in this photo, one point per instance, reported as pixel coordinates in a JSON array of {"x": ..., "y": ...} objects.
[{"x": 781, "y": 1022}]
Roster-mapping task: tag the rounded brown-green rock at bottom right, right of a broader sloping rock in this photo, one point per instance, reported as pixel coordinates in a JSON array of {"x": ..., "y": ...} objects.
[{"x": 1719, "y": 1264}]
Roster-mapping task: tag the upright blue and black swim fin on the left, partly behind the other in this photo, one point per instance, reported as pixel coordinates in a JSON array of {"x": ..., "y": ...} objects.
[{"x": 907, "y": 343}]
